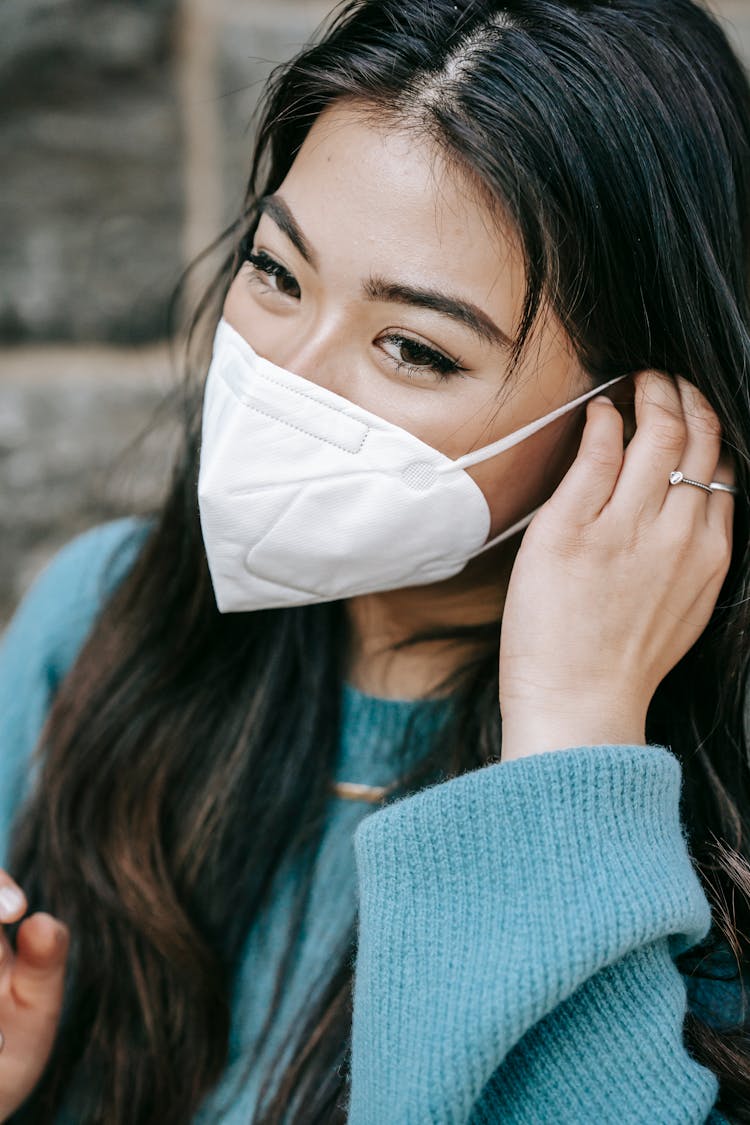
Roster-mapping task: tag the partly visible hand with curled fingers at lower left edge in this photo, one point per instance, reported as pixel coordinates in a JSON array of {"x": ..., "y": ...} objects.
[{"x": 31, "y": 995}]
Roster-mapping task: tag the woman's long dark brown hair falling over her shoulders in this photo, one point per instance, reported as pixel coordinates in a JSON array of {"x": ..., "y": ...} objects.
[{"x": 188, "y": 754}]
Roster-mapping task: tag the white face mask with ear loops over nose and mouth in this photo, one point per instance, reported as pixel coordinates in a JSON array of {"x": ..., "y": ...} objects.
[{"x": 308, "y": 498}]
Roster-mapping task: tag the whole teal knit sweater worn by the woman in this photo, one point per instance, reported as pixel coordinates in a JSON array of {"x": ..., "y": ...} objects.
[{"x": 518, "y": 925}]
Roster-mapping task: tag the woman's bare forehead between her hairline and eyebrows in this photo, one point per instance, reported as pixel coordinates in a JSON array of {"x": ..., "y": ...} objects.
[{"x": 375, "y": 195}]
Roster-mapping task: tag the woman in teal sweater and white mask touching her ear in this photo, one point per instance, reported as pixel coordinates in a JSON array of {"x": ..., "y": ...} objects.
[{"x": 463, "y": 220}]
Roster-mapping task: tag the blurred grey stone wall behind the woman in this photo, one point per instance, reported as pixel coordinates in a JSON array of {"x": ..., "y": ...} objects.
[{"x": 124, "y": 154}]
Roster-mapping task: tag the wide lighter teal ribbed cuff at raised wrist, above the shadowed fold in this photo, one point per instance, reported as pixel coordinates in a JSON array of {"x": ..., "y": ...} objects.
[{"x": 487, "y": 901}]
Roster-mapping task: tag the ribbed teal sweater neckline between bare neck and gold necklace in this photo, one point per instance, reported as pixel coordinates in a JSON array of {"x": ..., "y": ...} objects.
[{"x": 372, "y": 750}]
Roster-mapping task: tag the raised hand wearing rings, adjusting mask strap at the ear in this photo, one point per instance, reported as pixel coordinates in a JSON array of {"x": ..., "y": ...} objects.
[{"x": 618, "y": 574}]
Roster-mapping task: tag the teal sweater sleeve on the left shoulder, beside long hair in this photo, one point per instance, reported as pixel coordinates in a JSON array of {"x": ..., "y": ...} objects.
[{"x": 43, "y": 641}]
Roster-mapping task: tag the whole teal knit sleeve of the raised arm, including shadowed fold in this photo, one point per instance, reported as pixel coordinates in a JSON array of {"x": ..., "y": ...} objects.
[{"x": 518, "y": 931}]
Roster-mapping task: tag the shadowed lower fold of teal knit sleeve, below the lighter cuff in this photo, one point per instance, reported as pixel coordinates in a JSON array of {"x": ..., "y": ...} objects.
[{"x": 612, "y": 1052}]
